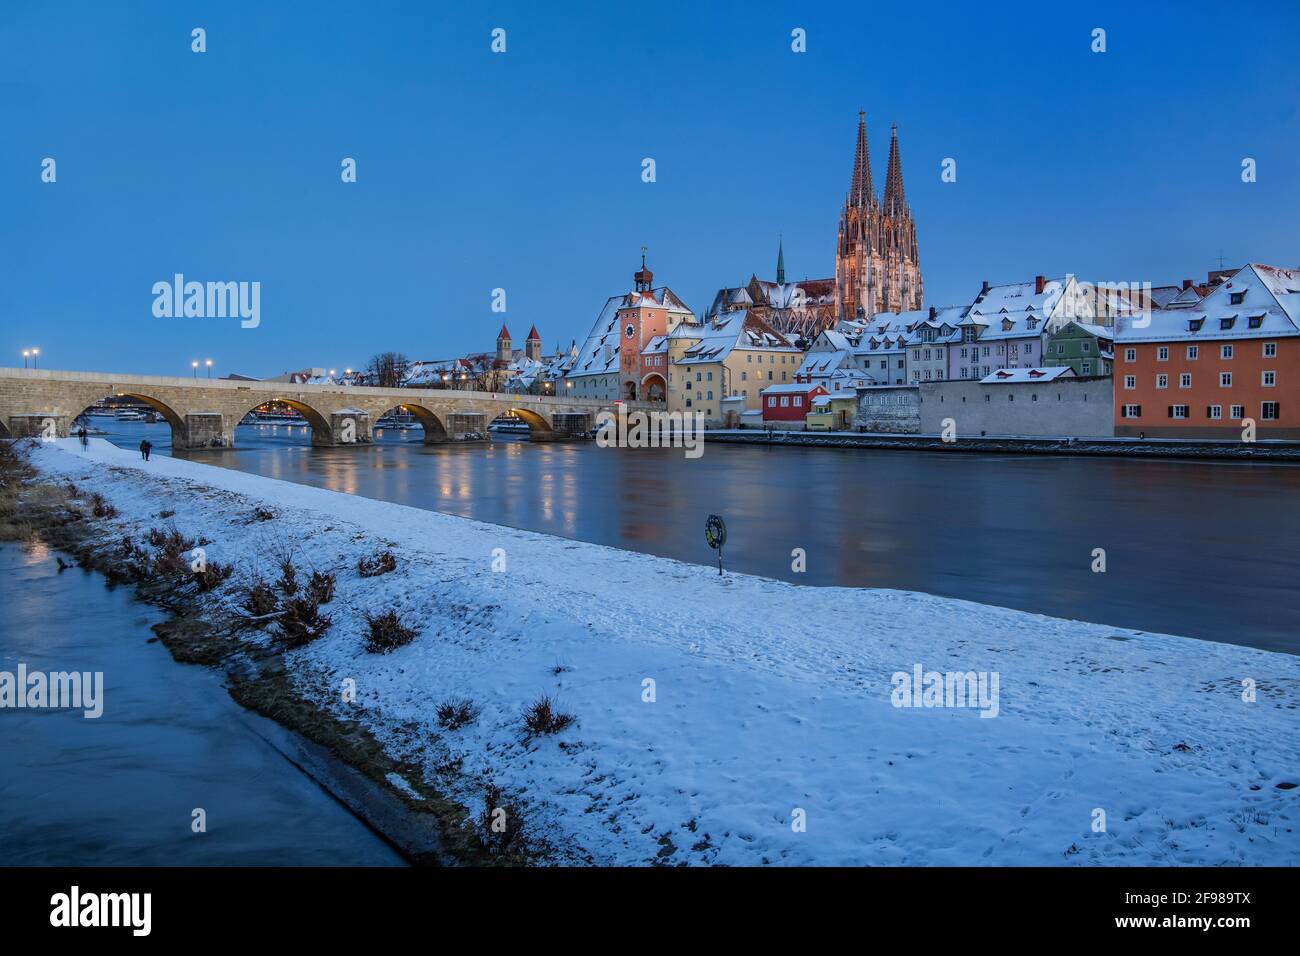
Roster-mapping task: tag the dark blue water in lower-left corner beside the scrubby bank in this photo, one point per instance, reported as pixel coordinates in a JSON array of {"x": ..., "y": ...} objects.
[{"x": 122, "y": 789}]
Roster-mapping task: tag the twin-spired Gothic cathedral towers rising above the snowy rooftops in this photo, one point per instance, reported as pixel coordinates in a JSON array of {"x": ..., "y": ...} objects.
[{"x": 877, "y": 266}]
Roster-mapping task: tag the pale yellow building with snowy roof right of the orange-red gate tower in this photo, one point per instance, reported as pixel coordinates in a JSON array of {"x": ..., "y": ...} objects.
[{"x": 733, "y": 354}]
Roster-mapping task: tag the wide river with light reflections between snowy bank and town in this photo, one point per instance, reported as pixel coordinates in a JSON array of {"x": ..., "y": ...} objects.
[{"x": 1203, "y": 550}]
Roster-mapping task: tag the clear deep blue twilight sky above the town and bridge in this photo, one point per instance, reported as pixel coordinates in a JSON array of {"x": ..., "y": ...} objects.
[{"x": 523, "y": 171}]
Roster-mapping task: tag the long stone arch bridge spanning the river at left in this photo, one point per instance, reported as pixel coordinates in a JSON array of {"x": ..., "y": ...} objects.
[{"x": 203, "y": 413}]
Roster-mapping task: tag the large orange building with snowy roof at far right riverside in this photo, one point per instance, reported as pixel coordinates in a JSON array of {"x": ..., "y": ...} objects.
[{"x": 1207, "y": 370}]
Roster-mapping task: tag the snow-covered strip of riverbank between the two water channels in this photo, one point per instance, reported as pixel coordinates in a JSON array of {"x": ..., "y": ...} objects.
[{"x": 770, "y": 698}]
